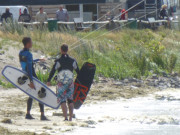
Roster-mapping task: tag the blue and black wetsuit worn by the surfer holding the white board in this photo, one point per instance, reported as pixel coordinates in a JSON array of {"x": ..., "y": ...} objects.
[{"x": 26, "y": 61}]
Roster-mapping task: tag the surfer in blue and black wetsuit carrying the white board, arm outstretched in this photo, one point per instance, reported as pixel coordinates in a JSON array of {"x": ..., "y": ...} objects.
[{"x": 26, "y": 61}]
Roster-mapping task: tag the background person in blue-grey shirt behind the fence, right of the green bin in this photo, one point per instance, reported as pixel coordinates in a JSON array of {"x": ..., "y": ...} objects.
[{"x": 62, "y": 14}]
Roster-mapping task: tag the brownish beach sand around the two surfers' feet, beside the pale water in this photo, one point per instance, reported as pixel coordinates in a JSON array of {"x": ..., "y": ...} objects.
[{"x": 13, "y": 110}]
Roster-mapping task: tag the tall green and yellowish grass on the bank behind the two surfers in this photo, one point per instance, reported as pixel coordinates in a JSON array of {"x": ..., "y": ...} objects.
[{"x": 120, "y": 54}]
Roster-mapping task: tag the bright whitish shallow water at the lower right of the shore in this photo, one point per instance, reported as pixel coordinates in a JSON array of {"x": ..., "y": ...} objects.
[{"x": 139, "y": 116}]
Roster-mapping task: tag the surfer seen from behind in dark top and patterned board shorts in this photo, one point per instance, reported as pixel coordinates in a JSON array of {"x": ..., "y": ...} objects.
[{"x": 65, "y": 87}]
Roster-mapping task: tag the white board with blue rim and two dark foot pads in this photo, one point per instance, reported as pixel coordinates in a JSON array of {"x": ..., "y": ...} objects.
[{"x": 20, "y": 80}]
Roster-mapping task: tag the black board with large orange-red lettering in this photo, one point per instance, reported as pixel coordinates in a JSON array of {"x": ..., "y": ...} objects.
[{"x": 83, "y": 84}]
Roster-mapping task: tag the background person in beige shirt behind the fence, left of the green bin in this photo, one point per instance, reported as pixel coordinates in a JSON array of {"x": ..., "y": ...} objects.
[{"x": 41, "y": 16}]
